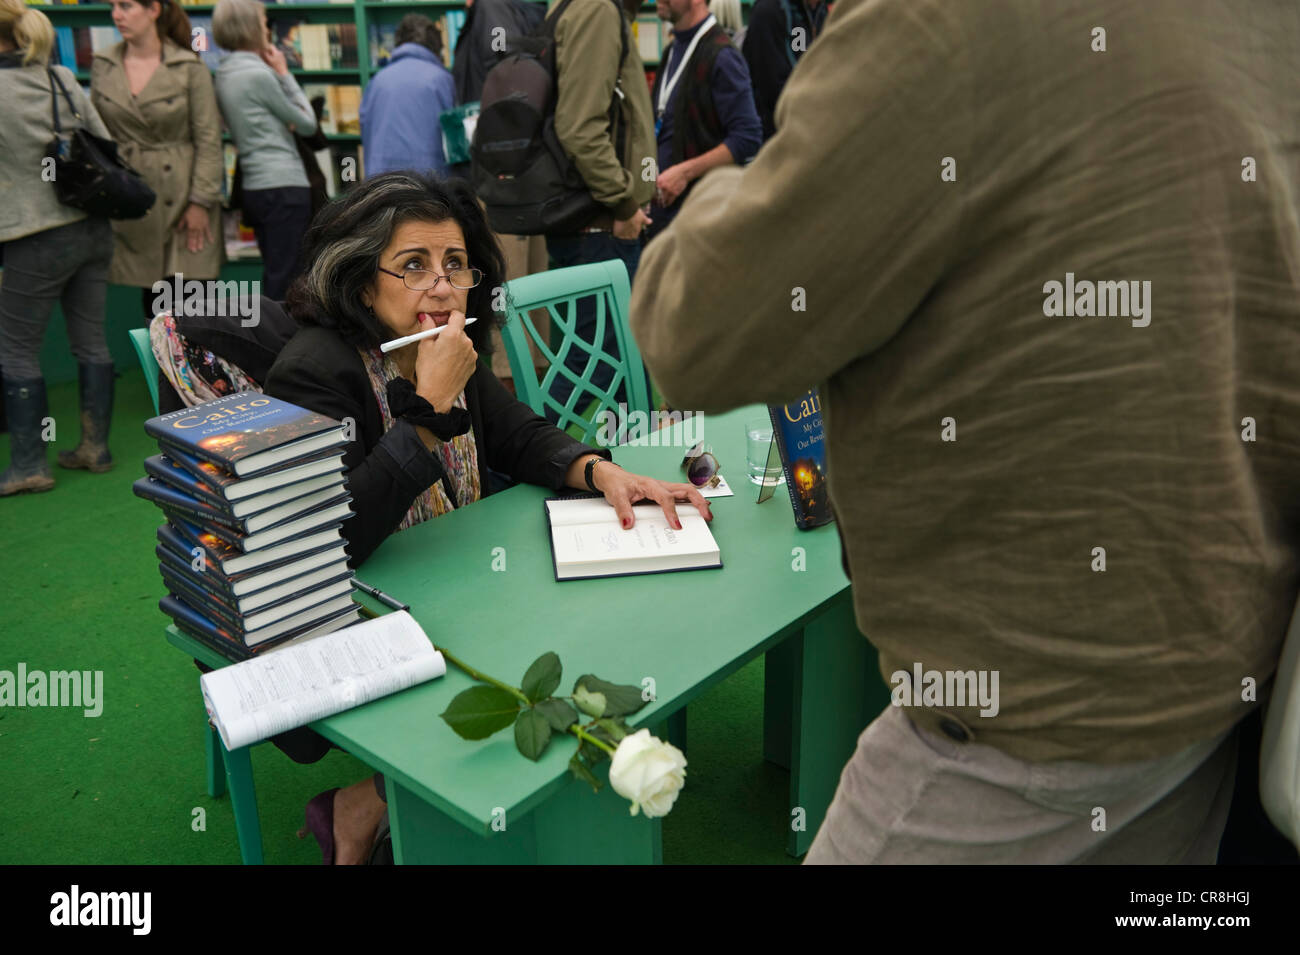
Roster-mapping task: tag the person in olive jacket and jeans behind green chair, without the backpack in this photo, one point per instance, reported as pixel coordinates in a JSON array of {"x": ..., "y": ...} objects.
[{"x": 590, "y": 41}]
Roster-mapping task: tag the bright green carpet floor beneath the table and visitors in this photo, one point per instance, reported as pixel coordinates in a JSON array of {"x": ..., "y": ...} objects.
[{"x": 80, "y": 591}]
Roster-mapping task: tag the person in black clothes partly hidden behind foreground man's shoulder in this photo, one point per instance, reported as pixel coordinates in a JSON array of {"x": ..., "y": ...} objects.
[{"x": 779, "y": 33}]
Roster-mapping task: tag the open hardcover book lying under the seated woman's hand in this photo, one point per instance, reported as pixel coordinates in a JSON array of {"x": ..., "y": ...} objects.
[{"x": 588, "y": 541}]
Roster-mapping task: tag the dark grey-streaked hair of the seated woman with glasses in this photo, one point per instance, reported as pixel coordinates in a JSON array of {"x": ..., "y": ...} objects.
[{"x": 348, "y": 237}]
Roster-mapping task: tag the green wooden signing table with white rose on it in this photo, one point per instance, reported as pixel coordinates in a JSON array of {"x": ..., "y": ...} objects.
[{"x": 482, "y": 802}]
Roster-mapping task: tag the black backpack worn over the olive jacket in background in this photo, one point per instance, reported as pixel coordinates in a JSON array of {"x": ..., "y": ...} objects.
[{"x": 518, "y": 166}]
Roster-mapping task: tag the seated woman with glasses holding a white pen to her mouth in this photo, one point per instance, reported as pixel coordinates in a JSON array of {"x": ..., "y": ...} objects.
[{"x": 397, "y": 255}]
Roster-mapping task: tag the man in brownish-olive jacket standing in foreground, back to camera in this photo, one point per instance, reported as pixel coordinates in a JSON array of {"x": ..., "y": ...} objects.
[{"x": 1043, "y": 262}]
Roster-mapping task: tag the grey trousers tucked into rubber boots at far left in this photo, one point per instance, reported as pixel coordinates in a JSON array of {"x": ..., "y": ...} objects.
[{"x": 67, "y": 266}]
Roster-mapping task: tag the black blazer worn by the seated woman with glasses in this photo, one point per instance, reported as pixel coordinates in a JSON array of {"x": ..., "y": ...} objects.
[{"x": 385, "y": 472}]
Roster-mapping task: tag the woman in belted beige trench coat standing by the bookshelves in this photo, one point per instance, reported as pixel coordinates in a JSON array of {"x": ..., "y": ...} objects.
[{"x": 171, "y": 133}]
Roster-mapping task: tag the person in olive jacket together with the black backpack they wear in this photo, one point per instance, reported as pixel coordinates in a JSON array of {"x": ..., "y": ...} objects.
[{"x": 565, "y": 149}]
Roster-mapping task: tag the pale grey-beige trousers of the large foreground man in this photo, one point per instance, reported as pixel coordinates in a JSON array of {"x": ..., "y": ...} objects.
[{"x": 912, "y": 797}]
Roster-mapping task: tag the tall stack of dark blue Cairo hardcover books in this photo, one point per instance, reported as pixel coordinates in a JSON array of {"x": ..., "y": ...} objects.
[{"x": 254, "y": 494}]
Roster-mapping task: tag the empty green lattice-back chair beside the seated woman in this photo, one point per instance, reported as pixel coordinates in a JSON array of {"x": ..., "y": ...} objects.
[{"x": 558, "y": 293}]
